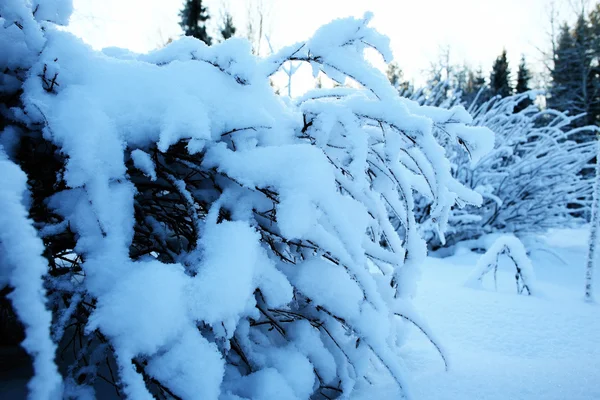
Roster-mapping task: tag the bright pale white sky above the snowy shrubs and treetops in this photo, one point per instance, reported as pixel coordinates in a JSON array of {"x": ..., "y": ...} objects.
[{"x": 476, "y": 31}]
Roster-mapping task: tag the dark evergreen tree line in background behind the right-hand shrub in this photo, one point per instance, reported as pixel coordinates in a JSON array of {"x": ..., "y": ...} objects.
[{"x": 573, "y": 68}]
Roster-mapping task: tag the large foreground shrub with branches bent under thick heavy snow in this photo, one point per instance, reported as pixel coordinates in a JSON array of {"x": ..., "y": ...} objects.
[{"x": 200, "y": 236}]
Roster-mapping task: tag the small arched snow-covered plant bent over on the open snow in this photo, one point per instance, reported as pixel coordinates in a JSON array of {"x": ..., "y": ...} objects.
[{"x": 513, "y": 249}]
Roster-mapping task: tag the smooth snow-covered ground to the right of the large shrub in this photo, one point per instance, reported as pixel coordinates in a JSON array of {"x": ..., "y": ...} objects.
[{"x": 502, "y": 345}]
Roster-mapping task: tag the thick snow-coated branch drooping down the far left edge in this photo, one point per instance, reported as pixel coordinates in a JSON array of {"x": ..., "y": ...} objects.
[{"x": 23, "y": 267}]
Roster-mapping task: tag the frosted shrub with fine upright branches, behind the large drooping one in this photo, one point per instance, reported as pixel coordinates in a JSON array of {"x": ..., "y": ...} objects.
[{"x": 530, "y": 182}]
